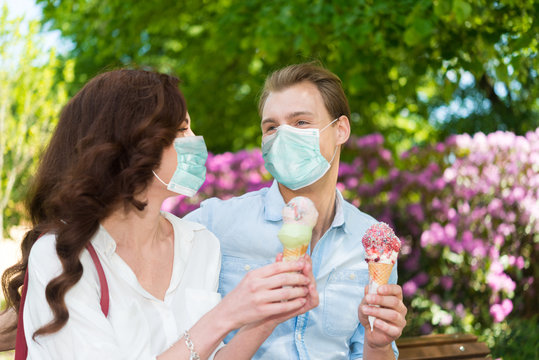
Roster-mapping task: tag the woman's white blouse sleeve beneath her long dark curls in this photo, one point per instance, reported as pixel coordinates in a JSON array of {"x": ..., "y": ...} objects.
[{"x": 87, "y": 333}]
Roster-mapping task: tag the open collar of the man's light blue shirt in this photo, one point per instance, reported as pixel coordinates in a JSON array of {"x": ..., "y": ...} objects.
[{"x": 274, "y": 203}]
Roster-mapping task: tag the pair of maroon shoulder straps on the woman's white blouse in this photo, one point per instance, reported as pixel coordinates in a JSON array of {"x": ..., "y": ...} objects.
[{"x": 21, "y": 348}]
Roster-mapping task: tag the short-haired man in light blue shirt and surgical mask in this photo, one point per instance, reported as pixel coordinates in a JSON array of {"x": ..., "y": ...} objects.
[{"x": 305, "y": 120}]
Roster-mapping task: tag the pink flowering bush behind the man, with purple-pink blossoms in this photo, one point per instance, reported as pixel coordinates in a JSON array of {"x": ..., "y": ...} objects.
[{"x": 466, "y": 209}]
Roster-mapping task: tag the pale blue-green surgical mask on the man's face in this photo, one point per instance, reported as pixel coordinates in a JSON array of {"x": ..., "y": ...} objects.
[{"x": 292, "y": 156}]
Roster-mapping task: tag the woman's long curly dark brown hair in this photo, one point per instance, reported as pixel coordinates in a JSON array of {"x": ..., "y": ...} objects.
[{"x": 109, "y": 138}]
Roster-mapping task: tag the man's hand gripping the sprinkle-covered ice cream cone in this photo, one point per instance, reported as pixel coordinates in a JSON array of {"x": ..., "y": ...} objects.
[{"x": 390, "y": 316}]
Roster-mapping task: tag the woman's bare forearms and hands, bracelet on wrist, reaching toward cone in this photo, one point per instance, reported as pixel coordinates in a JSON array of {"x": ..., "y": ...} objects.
[{"x": 264, "y": 294}]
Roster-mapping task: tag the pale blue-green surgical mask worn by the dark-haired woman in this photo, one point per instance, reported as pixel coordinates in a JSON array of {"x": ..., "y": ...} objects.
[{"x": 191, "y": 171}]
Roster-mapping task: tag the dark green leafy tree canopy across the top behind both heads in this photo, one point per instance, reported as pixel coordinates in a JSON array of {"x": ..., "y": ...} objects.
[{"x": 402, "y": 62}]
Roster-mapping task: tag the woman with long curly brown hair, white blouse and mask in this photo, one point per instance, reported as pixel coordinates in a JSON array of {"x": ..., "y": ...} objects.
[{"x": 122, "y": 146}]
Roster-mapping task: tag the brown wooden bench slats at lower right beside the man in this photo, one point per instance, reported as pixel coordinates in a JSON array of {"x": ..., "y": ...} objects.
[{"x": 454, "y": 346}]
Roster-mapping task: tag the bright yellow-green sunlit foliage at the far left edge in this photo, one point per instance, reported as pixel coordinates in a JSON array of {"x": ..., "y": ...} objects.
[{"x": 30, "y": 101}]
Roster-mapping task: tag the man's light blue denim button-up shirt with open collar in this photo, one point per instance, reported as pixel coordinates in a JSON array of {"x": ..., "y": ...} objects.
[{"x": 247, "y": 228}]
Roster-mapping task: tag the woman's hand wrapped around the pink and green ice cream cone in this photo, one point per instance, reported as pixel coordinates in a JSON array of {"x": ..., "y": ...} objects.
[{"x": 278, "y": 290}]
